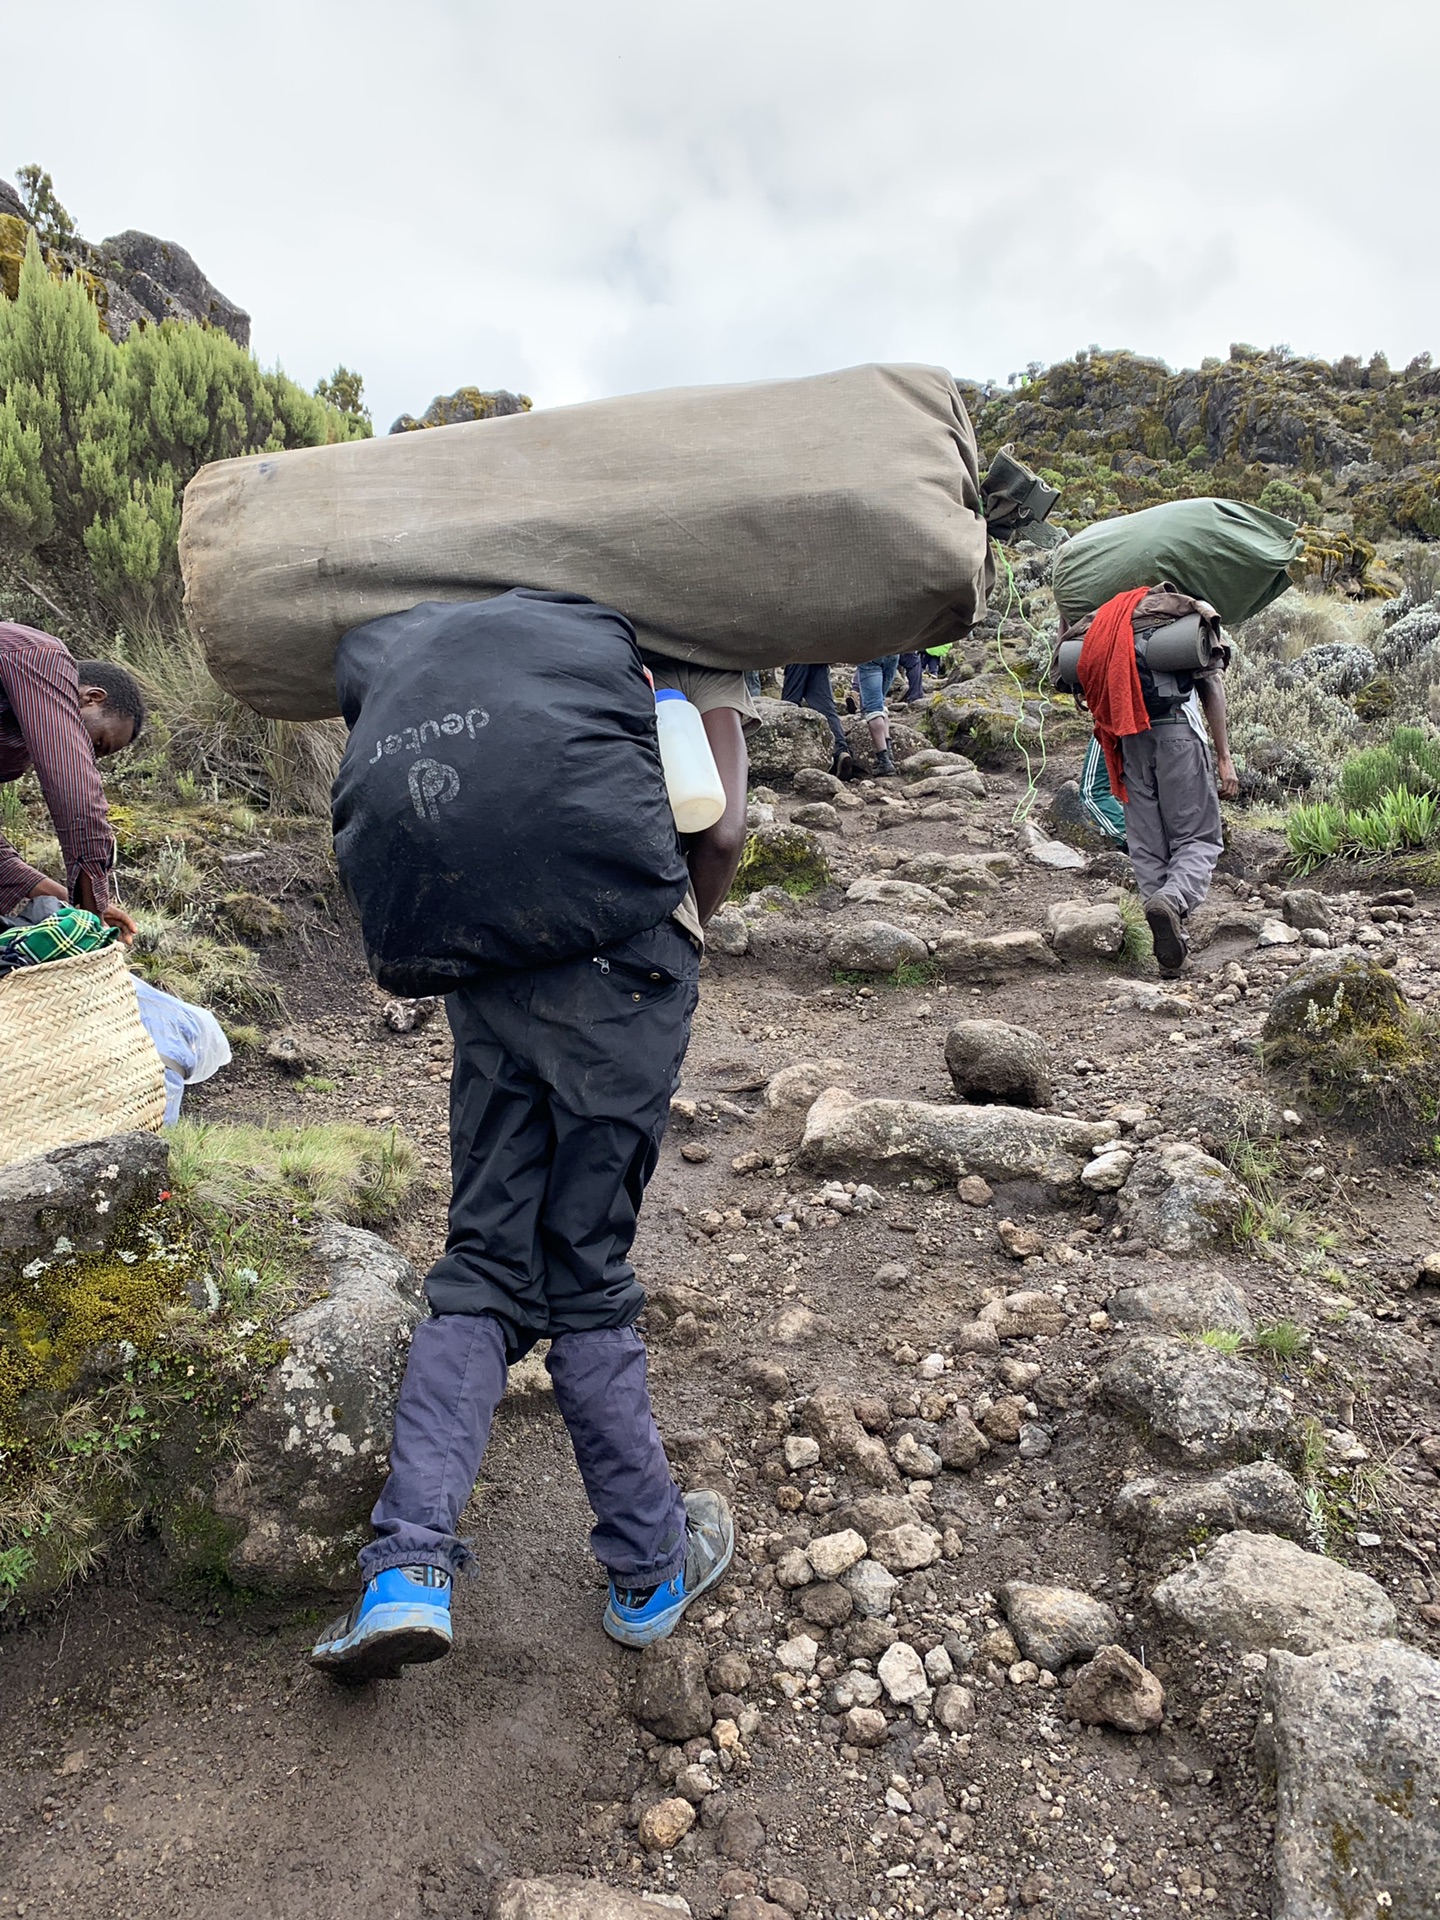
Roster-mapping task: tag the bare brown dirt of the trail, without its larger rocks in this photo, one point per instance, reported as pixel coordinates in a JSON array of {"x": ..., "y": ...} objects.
[{"x": 168, "y": 1762}]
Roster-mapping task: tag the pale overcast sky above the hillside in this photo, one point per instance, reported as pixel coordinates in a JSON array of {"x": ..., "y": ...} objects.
[{"x": 581, "y": 199}]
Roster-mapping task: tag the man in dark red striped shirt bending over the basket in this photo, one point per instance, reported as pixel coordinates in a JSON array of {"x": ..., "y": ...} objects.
[{"x": 59, "y": 717}]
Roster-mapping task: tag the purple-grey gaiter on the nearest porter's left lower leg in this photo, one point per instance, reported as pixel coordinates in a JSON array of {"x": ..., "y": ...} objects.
[{"x": 454, "y": 1383}]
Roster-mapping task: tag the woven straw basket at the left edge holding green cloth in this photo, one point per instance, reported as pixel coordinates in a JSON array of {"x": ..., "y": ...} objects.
[{"x": 76, "y": 1063}]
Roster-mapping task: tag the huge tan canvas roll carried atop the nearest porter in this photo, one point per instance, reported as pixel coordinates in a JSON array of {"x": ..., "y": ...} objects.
[{"x": 825, "y": 519}]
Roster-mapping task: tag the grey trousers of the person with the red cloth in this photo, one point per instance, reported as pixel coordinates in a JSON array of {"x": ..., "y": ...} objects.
[{"x": 1172, "y": 815}]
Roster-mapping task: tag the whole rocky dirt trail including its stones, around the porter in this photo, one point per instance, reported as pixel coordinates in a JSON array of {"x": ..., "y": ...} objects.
[{"x": 1034, "y": 1443}]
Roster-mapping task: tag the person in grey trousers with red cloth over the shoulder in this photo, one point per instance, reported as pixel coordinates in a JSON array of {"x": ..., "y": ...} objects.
[{"x": 1153, "y": 731}]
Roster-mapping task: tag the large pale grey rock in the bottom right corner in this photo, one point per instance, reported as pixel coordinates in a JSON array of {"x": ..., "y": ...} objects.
[{"x": 1355, "y": 1748}]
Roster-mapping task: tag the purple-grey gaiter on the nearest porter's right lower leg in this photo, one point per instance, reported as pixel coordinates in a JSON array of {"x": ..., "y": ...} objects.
[{"x": 602, "y": 1393}]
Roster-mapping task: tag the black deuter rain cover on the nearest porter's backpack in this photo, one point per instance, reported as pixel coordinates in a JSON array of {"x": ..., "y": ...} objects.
[{"x": 500, "y": 804}]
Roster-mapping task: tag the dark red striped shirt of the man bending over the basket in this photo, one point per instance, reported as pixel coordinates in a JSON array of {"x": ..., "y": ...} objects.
[{"x": 41, "y": 727}]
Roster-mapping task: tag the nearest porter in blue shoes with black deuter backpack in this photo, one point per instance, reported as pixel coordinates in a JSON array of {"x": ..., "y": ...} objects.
[{"x": 502, "y": 823}]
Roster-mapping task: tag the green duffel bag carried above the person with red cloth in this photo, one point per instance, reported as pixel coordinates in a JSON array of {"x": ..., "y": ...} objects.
[{"x": 1216, "y": 550}]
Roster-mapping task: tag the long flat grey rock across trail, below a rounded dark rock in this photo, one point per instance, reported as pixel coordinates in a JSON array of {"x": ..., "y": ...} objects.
[{"x": 865, "y": 1140}]
